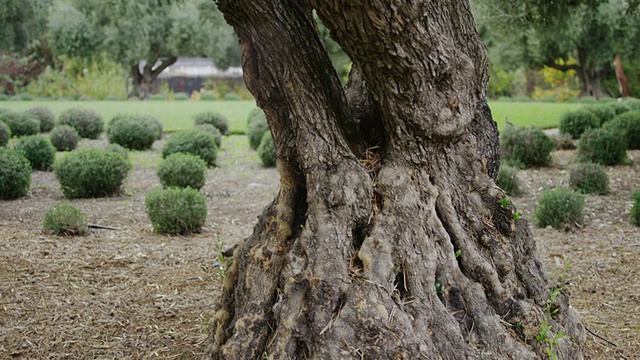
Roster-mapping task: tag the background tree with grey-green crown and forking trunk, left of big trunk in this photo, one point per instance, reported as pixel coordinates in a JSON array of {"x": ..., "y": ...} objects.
[{"x": 151, "y": 31}]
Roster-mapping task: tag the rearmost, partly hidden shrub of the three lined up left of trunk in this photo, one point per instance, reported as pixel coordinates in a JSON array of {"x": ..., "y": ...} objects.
[{"x": 195, "y": 142}]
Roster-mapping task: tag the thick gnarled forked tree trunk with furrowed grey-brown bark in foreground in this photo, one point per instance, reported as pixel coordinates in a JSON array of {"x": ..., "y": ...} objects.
[{"x": 388, "y": 238}]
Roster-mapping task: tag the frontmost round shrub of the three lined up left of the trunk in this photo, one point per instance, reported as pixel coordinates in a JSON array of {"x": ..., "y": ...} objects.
[{"x": 176, "y": 210}]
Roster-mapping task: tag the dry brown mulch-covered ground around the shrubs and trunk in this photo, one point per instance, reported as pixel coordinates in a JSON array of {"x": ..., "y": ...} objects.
[{"x": 133, "y": 294}]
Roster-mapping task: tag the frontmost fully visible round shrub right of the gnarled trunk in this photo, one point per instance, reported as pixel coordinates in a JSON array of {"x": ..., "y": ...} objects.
[{"x": 559, "y": 208}]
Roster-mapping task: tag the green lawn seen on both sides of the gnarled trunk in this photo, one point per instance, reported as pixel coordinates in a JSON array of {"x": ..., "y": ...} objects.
[{"x": 176, "y": 115}]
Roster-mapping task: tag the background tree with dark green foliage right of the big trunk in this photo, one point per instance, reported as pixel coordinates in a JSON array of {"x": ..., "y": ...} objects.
[{"x": 590, "y": 31}]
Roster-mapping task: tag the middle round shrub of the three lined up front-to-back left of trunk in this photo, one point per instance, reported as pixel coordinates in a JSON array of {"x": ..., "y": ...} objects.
[{"x": 182, "y": 170}]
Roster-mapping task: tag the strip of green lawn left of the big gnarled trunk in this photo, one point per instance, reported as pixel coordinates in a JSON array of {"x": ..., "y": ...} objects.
[{"x": 174, "y": 115}]
